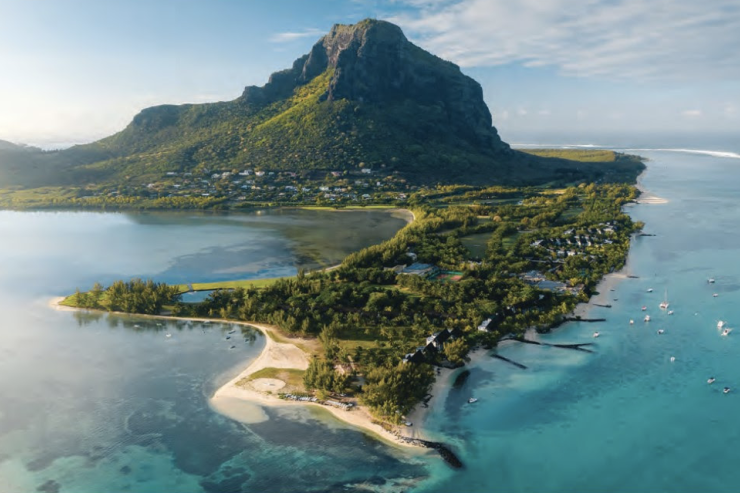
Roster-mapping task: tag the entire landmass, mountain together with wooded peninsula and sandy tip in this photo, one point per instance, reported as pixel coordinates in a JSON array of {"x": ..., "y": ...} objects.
[{"x": 503, "y": 240}]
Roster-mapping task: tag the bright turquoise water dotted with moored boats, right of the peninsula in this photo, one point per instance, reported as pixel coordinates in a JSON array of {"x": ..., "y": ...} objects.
[{"x": 624, "y": 418}]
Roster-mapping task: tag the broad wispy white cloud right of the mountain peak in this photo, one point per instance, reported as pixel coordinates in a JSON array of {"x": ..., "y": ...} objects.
[{"x": 625, "y": 38}]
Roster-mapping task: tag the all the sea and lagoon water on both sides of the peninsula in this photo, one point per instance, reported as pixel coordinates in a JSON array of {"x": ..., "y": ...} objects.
[{"x": 92, "y": 403}]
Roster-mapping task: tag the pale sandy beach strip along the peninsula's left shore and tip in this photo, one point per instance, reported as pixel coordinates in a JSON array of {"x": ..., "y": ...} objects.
[{"x": 281, "y": 355}]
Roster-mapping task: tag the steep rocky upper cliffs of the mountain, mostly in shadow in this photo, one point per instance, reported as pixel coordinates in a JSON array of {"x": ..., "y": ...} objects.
[{"x": 373, "y": 62}]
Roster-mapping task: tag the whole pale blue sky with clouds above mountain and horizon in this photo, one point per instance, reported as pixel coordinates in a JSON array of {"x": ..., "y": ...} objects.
[{"x": 73, "y": 71}]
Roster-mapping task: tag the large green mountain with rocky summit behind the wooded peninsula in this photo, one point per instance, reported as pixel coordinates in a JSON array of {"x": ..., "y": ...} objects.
[{"x": 363, "y": 97}]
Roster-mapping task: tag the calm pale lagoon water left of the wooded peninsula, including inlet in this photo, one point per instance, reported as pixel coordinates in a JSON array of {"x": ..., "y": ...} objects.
[{"x": 92, "y": 402}]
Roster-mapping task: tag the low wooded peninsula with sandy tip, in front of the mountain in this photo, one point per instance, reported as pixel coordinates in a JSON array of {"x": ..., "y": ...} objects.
[{"x": 365, "y": 339}]
